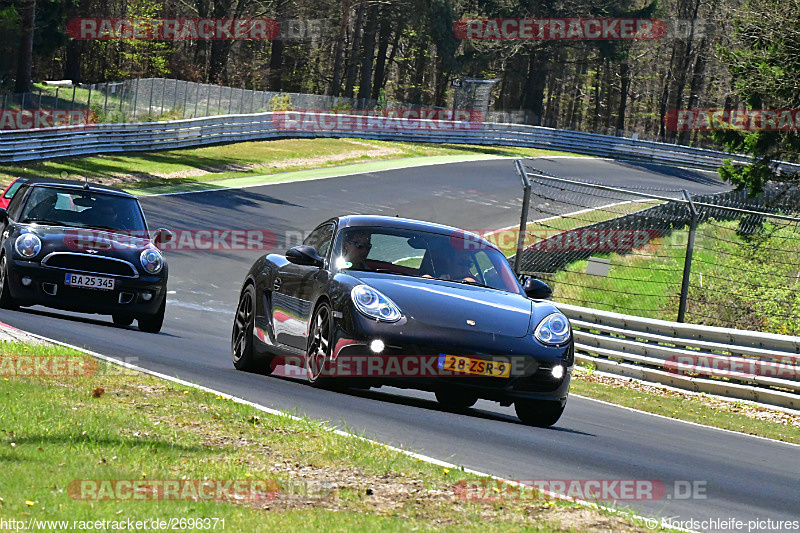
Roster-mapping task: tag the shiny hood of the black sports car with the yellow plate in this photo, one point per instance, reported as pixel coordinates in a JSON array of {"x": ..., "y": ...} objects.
[{"x": 448, "y": 305}]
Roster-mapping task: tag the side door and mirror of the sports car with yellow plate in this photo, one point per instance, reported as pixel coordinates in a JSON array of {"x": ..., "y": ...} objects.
[{"x": 295, "y": 288}]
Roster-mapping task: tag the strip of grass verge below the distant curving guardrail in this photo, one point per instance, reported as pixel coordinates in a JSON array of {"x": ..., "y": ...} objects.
[{"x": 148, "y": 169}]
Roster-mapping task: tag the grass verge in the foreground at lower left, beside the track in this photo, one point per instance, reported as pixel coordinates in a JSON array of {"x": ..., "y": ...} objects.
[{"x": 119, "y": 425}]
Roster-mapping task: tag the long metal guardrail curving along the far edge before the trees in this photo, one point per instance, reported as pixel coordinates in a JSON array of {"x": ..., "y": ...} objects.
[{"x": 32, "y": 145}]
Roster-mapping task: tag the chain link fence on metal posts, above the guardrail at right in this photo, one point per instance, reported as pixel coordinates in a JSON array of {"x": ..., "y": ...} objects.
[{"x": 722, "y": 259}]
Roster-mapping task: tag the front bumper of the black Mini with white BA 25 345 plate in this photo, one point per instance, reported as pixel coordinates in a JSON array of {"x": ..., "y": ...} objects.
[{"x": 48, "y": 288}]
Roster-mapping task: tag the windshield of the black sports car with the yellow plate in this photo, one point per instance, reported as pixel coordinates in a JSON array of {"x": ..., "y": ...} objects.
[{"x": 454, "y": 257}]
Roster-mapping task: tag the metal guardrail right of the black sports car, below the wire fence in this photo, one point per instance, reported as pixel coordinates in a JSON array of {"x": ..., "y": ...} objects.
[{"x": 747, "y": 365}]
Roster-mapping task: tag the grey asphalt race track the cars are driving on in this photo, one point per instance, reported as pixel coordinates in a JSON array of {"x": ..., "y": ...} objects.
[{"x": 736, "y": 476}]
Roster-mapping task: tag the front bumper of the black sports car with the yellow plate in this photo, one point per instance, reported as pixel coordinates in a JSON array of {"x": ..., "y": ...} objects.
[{"x": 412, "y": 360}]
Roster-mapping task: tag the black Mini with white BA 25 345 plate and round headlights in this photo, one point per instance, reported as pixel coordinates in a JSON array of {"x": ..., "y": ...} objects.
[{"x": 72, "y": 246}]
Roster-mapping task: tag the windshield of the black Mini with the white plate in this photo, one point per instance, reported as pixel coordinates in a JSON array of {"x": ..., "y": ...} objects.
[{"x": 83, "y": 209}]
